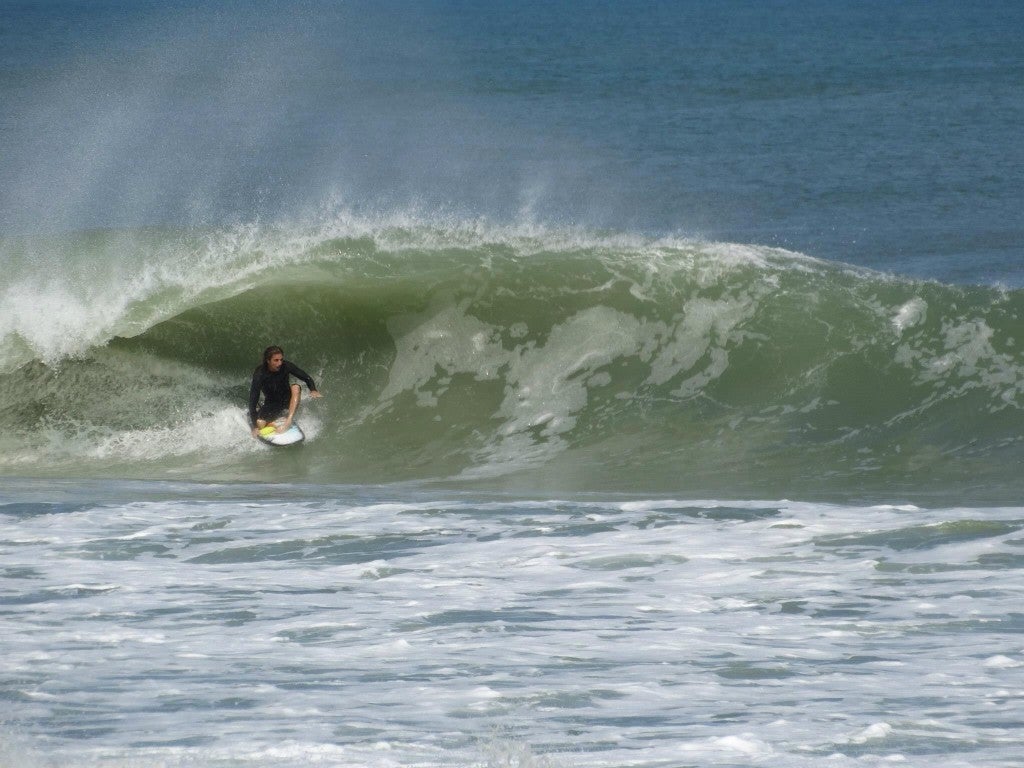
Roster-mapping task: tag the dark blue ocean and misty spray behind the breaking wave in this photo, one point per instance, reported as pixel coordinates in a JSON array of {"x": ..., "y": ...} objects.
[{"x": 875, "y": 134}]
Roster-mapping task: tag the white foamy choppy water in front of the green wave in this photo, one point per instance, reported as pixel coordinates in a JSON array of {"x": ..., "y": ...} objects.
[{"x": 184, "y": 625}]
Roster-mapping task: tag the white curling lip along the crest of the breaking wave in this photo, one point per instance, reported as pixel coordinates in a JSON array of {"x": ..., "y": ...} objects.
[{"x": 69, "y": 294}]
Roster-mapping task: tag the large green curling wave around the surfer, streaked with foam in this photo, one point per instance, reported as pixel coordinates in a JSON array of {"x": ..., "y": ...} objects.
[{"x": 527, "y": 359}]
